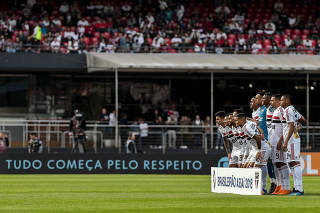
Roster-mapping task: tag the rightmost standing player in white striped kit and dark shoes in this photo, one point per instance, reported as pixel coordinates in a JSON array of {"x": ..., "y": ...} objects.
[{"x": 291, "y": 144}]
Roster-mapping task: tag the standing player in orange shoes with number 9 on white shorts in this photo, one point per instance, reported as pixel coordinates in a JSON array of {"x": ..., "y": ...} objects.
[{"x": 276, "y": 138}]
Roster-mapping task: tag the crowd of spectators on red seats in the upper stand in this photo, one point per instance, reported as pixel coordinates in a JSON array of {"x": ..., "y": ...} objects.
[{"x": 135, "y": 26}]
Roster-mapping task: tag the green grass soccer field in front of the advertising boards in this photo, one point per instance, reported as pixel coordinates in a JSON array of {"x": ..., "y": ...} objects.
[{"x": 140, "y": 193}]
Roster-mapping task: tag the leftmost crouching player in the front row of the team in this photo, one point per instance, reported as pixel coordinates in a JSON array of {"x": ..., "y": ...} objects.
[{"x": 222, "y": 128}]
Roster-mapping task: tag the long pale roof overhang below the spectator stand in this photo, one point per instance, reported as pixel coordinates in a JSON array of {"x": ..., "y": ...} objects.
[{"x": 103, "y": 62}]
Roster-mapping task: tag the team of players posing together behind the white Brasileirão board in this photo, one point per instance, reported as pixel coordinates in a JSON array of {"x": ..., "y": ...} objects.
[{"x": 268, "y": 140}]
